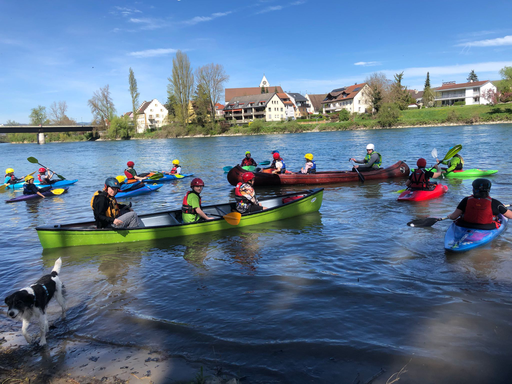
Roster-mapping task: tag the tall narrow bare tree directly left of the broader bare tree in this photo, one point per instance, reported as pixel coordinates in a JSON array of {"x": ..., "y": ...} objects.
[{"x": 181, "y": 85}]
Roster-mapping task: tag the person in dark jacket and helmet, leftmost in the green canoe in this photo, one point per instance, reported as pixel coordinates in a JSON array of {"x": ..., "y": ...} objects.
[{"x": 108, "y": 213}]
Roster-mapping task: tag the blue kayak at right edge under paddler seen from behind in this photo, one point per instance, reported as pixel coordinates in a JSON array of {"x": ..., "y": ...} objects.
[{"x": 460, "y": 239}]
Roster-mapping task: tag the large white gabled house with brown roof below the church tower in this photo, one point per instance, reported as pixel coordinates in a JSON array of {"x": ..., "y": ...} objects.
[{"x": 265, "y": 106}]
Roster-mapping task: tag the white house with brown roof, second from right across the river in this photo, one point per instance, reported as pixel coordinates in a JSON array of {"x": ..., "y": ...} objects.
[{"x": 351, "y": 98}]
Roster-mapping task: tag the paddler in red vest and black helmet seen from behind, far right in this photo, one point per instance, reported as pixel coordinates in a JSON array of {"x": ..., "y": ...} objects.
[{"x": 479, "y": 210}]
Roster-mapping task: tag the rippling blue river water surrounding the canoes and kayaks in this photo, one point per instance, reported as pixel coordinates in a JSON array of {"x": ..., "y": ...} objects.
[{"x": 315, "y": 299}]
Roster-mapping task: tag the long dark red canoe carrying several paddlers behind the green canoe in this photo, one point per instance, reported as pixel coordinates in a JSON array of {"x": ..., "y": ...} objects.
[{"x": 400, "y": 169}]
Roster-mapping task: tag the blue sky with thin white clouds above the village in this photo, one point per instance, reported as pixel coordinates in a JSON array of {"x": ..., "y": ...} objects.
[{"x": 66, "y": 50}]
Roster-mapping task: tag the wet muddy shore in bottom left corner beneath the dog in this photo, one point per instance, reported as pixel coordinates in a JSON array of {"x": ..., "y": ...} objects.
[{"x": 88, "y": 361}]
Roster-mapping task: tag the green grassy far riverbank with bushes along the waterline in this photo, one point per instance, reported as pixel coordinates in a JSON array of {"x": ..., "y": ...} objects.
[{"x": 425, "y": 117}]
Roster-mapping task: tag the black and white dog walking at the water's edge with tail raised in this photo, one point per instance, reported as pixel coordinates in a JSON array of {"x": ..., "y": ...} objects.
[{"x": 31, "y": 302}]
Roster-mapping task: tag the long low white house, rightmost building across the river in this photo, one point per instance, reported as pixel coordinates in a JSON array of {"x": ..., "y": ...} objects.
[{"x": 471, "y": 93}]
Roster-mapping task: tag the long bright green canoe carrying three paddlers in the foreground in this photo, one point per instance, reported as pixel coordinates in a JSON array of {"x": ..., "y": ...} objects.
[{"x": 168, "y": 224}]
